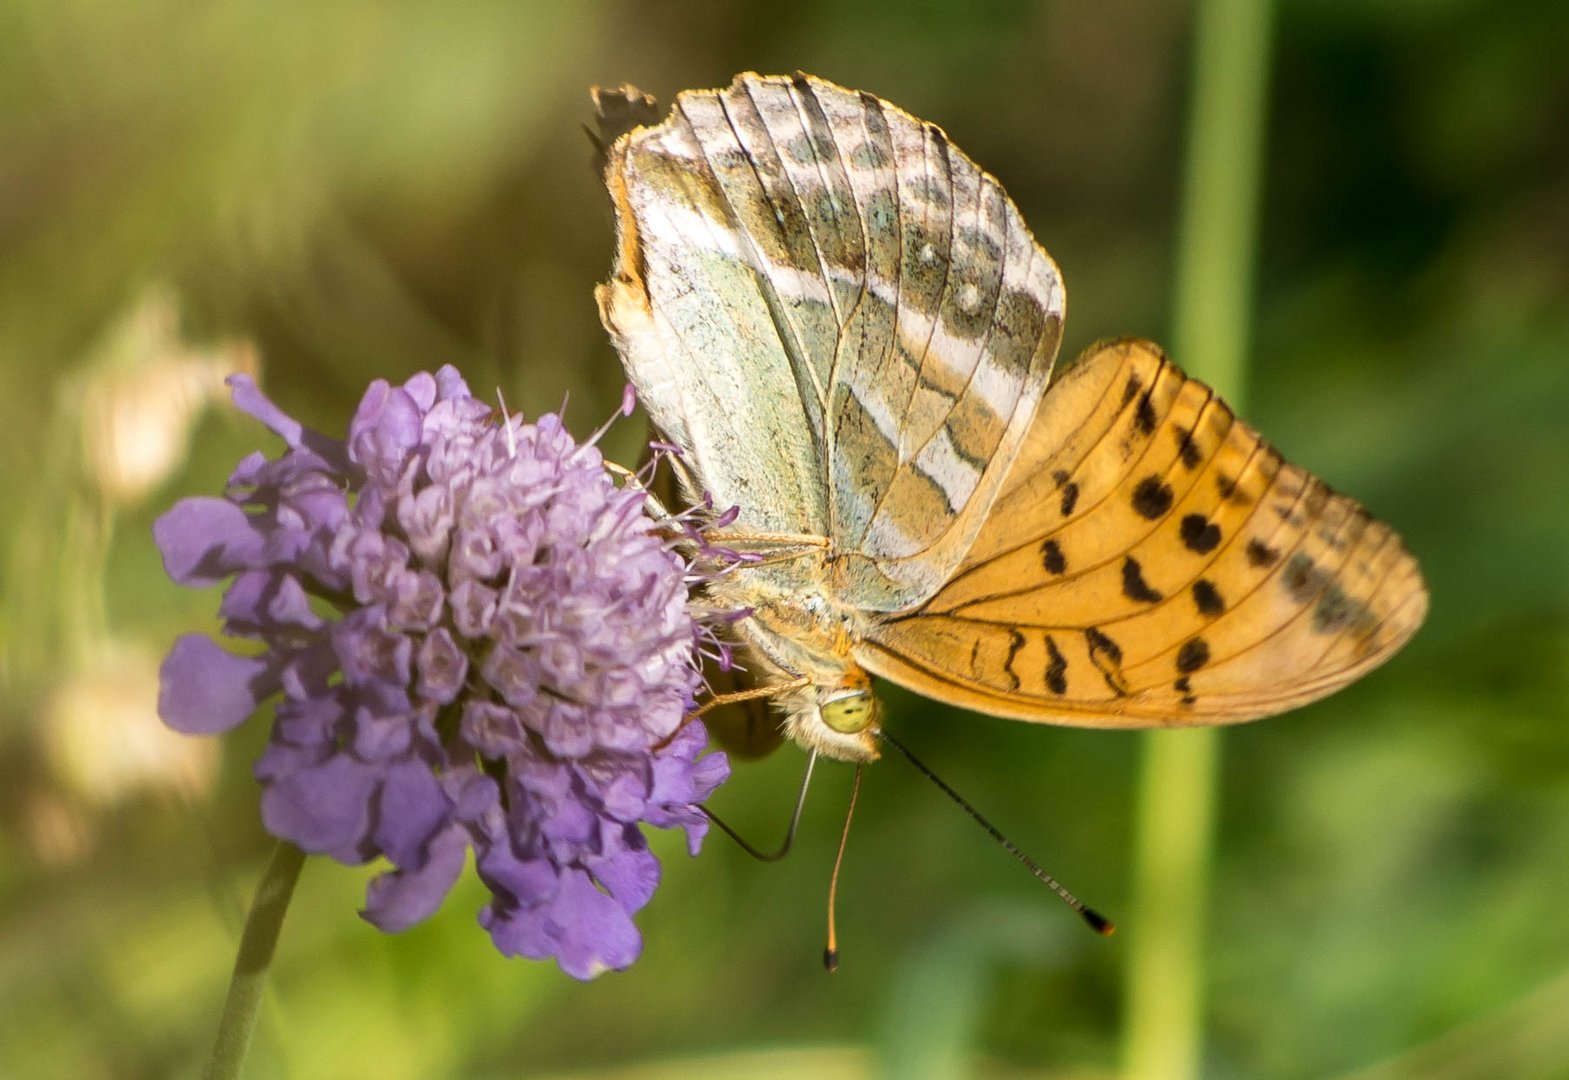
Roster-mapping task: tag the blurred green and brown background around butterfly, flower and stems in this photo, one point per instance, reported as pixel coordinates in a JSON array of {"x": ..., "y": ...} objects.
[{"x": 332, "y": 194}]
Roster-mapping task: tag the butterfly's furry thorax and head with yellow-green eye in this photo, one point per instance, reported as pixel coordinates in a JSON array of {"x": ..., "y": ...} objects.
[{"x": 801, "y": 641}]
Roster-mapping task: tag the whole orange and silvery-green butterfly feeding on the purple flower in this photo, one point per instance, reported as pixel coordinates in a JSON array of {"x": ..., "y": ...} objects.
[{"x": 848, "y": 332}]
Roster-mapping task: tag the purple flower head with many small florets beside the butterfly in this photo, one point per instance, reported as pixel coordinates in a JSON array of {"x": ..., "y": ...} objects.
[{"x": 476, "y": 641}]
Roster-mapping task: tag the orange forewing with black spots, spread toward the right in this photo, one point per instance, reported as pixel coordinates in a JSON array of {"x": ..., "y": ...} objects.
[{"x": 1154, "y": 561}]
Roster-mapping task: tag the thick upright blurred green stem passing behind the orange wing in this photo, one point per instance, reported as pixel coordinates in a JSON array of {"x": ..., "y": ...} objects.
[{"x": 1212, "y": 304}]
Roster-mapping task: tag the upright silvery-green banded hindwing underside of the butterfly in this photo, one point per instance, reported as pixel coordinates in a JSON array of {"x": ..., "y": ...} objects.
[{"x": 842, "y": 321}]
